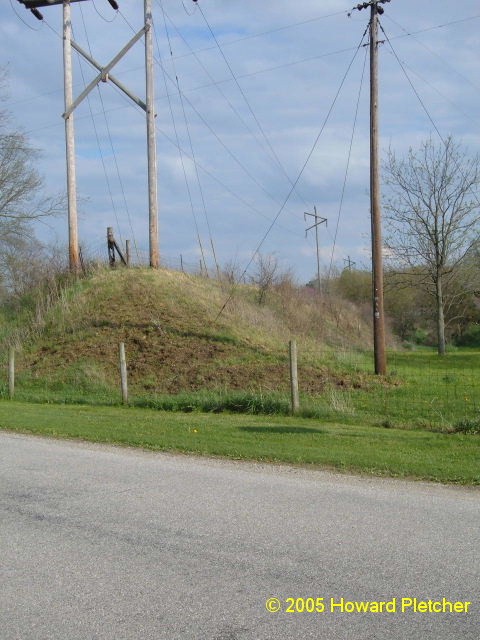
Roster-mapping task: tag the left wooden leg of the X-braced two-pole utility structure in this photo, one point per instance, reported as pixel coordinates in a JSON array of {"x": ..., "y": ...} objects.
[{"x": 73, "y": 251}]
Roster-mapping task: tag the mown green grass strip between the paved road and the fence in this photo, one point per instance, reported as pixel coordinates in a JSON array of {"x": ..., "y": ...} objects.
[{"x": 420, "y": 454}]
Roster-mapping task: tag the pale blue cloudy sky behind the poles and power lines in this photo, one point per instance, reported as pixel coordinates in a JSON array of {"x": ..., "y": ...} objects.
[{"x": 262, "y": 115}]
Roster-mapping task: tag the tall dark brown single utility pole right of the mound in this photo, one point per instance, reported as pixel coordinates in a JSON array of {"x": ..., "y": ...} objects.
[{"x": 375, "y": 200}]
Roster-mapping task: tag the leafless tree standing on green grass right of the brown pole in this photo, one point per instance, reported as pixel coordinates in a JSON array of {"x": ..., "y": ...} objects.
[{"x": 432, "y": 215}]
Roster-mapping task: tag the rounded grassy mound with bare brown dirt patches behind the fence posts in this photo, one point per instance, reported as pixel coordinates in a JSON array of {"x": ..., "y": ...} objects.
[{"x": 176, "y": 341}]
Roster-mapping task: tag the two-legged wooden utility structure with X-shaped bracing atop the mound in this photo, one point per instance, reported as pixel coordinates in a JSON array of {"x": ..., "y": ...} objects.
[{"x": 104, "y": 75}]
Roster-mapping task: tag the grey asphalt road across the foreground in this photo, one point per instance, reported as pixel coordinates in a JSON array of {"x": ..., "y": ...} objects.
[{"x": 108, "y": 543}]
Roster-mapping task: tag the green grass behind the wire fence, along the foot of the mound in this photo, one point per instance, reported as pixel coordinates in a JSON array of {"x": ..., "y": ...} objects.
[{"x": 421, "y": 390}]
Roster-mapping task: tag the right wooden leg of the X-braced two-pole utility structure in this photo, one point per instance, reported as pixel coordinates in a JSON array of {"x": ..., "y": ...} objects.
[{"x": 151, "y": 142}]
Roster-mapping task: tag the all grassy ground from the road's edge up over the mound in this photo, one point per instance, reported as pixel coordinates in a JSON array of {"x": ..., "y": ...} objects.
[{"x": 221, "y": 386}]
